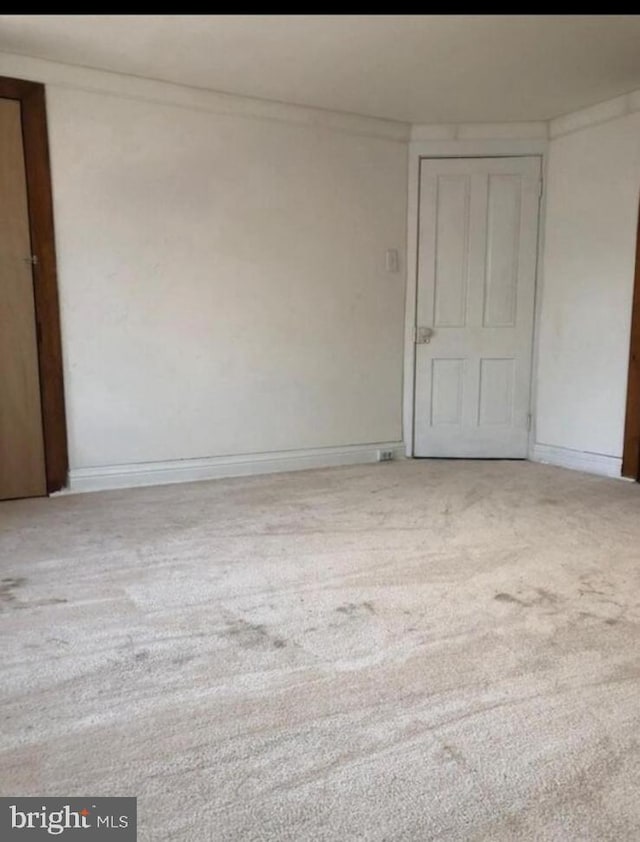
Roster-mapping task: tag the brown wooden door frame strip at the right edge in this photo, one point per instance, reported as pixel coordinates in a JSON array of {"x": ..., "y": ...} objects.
[{"x": 631, "y": 449}]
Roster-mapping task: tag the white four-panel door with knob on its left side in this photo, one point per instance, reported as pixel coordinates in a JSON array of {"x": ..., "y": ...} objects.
[{"x": 477, "y": 242}]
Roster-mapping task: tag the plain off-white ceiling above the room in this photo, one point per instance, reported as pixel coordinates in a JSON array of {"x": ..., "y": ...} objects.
[{"x": 413, "y": 68}]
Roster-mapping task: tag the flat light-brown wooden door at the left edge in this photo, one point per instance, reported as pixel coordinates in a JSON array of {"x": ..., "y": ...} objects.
[{"x": 22, "y": 465}]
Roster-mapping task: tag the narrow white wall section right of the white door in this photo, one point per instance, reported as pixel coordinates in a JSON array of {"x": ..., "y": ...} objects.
[{"x": 592, "y": 190}]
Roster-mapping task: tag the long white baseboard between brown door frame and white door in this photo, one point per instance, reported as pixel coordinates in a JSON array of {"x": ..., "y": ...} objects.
[{"x": 216, "y": 467}]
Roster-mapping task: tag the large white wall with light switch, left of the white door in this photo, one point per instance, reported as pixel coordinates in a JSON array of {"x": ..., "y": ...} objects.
[{"x": 222, "y": 274}]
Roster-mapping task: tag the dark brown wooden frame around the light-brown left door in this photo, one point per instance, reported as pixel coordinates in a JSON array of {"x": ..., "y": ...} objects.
[{"x": 31, "y": 96}]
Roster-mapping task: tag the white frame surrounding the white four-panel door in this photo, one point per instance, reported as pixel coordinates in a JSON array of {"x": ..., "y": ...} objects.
[{"x": 504, "y": 145}]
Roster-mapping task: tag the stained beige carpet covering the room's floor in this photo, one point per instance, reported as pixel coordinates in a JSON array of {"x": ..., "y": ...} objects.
[{"x": 407, "y": 651}]
